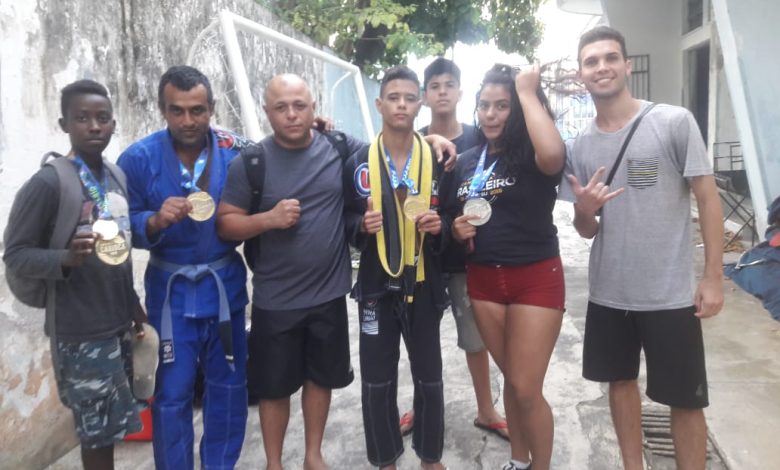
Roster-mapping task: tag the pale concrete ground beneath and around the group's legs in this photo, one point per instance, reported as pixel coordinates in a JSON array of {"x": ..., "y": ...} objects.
[{"x": 743, "y": 347}]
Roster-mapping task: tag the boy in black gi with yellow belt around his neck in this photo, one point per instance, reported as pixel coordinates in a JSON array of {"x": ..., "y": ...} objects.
[{"x": 390, "y": 201}]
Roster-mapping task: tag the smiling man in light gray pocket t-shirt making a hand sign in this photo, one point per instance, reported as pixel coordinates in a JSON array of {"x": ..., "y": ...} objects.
[{"x": 641, "y": 263}]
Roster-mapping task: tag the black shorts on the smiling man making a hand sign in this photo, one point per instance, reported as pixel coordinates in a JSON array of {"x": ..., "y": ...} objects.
[{"x": 673, "y": 345}]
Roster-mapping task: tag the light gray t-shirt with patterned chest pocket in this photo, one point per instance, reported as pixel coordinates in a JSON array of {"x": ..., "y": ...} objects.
[{"x": 642, "y": 256}]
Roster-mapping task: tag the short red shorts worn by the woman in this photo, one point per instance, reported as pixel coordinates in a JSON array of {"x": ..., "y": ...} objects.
[{"x": 539, "y": 284}]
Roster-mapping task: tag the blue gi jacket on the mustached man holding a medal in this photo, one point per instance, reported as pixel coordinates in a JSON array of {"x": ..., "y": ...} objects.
[{"x": 153, "y": 175}]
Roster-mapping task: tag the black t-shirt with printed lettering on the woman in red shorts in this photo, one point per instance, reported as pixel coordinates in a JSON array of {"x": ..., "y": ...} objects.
[{"x": 520, "y": 230}]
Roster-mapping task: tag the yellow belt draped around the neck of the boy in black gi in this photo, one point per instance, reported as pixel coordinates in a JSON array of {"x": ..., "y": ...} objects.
[{"x": 421, "y": 172}]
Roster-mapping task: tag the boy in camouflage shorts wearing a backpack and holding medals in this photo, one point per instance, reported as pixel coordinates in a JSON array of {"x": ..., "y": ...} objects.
[{"x": 95, "y": 304}]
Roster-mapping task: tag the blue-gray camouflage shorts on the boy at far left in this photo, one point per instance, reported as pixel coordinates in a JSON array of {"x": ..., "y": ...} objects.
[{"x": 95, "y": 386}]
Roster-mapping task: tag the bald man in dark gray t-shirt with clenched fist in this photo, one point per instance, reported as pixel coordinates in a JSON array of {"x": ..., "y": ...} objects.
[{"x": 301, "y": 271}]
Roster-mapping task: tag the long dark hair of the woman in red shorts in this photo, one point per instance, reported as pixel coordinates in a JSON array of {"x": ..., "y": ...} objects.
[{"x": 514, "y": 140}]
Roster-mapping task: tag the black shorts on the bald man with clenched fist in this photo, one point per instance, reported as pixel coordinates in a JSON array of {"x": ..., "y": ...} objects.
[{"x": 288, "y": 347}]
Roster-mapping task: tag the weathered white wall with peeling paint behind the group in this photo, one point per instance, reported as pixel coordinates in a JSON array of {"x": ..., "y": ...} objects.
[{"x": 126, "y": 45}]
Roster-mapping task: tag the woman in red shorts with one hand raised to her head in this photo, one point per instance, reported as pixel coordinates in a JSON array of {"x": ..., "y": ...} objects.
[{"x": 501, "y": 198}]
